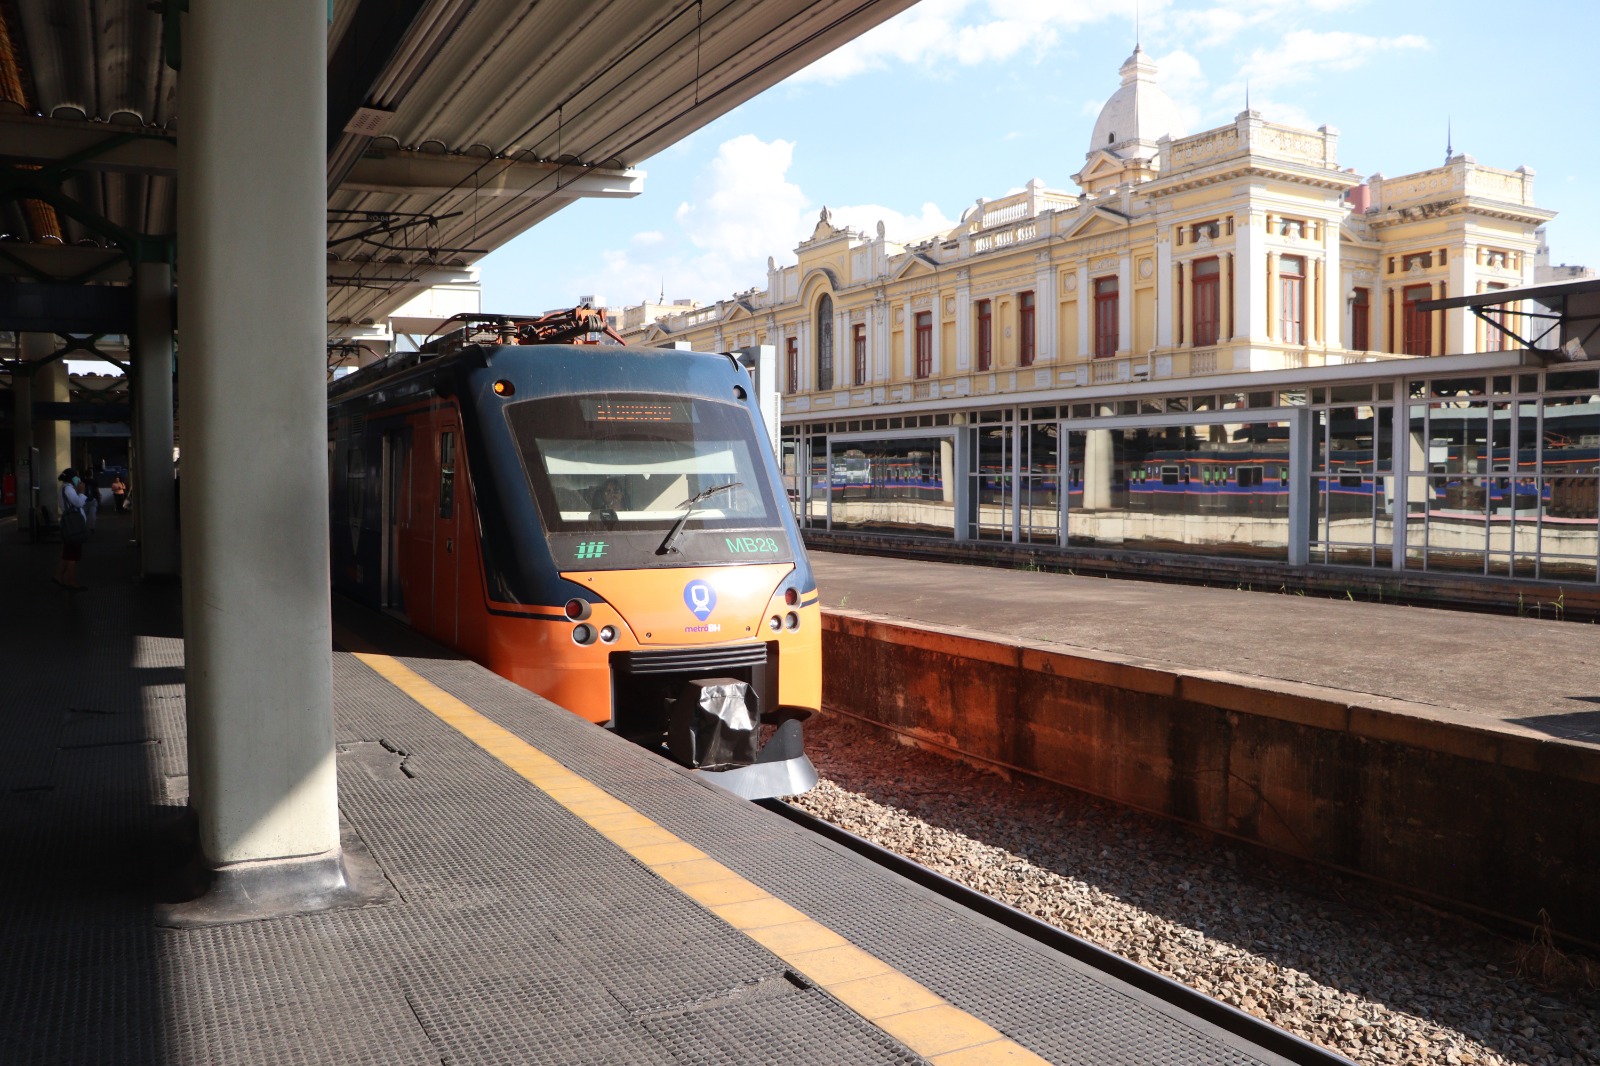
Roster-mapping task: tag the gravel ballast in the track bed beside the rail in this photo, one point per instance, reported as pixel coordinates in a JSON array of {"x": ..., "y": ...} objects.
[{"x": 1342, "y": 963}]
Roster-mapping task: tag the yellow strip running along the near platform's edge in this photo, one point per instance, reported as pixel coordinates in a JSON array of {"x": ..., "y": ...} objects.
[{"x": 873, "y": 988}]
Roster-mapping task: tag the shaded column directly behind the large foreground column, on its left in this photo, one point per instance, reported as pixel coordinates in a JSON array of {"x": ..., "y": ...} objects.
[{"x": 153, "y": 420}]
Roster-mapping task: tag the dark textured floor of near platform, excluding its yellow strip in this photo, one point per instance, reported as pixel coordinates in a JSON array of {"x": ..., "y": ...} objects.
[{"x": 514, "y": 934}]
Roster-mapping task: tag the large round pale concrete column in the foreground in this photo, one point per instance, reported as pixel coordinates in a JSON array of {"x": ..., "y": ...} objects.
[{"x": 255, "y": 463}]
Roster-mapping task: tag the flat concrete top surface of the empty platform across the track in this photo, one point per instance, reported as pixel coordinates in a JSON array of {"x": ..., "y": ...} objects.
[{"x": 1489, "y": 671}]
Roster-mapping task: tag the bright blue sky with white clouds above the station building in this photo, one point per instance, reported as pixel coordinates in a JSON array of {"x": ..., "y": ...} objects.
[{"x": 958, "y": 100}]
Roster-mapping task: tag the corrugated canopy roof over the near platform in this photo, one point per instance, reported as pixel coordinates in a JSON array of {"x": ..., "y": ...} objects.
[{"x": 454, "y": 126}]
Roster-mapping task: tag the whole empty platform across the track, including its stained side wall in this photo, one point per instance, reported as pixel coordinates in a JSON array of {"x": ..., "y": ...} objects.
[{"x": 1447, "y": 753}]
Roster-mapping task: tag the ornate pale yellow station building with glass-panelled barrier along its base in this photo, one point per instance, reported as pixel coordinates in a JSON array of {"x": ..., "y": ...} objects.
[{"x": 1212, "y": 347}]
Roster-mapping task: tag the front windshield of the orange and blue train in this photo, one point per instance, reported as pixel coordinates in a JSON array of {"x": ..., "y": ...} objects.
[{"x": 636, "y": 462}]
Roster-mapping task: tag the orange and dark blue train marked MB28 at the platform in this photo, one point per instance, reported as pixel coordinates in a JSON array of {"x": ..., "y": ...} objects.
[{"x": 601, "y": 524}]
